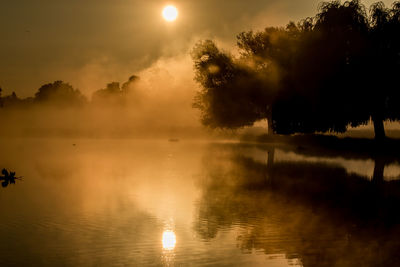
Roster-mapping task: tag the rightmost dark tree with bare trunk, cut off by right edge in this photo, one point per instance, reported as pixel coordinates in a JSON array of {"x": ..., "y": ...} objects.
[{"x": 384, "y": 67}]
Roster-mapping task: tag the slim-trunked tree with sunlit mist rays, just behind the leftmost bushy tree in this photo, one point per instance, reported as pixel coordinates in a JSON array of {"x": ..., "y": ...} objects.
[{"x": 269, "y": 54}]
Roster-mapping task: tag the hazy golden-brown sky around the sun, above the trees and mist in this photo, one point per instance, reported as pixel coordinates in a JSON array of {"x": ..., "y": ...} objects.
[{"x": 92, "y": 42}]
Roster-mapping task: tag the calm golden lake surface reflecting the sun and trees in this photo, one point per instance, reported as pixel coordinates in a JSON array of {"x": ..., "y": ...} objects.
[{"x": 160, "y": 203}]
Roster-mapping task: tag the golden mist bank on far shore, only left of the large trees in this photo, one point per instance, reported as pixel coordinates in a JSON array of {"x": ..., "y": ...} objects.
[{"x": 157, "y": 104}]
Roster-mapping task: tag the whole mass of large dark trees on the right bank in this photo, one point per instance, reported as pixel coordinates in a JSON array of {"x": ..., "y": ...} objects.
[{"x": 321, "y": 74}]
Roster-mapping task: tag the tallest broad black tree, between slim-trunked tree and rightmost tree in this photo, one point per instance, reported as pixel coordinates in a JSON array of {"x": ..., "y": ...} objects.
[{"x": 324, "y": 89}]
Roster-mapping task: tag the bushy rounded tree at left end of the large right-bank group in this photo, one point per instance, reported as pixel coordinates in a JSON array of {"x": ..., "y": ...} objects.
[{"x": 233, "y": 94}]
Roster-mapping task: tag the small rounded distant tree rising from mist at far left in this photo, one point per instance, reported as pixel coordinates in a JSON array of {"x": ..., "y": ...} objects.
[{"x": 59, "y": 94}]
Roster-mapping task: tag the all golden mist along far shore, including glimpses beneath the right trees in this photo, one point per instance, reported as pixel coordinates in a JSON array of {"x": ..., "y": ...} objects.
[{"x": 158, "y": 105}]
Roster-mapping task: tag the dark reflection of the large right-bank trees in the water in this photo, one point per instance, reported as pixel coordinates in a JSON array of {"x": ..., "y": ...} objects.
[{"x": 311, "y": 211}]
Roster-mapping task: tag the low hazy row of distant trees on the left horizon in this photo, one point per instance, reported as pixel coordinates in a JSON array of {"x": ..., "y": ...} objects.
[{"x": 62, "y": 94}]
